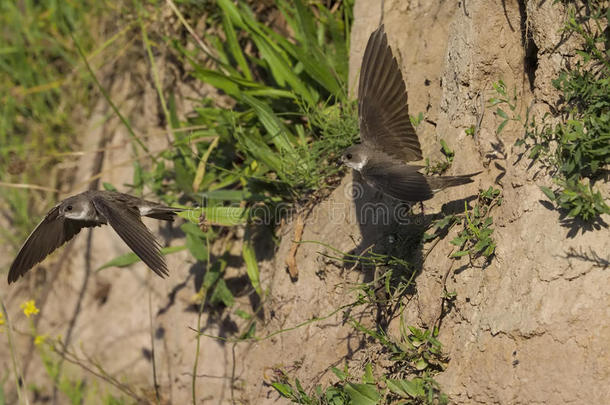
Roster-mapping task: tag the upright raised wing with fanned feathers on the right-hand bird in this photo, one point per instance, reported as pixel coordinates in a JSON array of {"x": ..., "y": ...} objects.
[{"x": 382, "y": 102}]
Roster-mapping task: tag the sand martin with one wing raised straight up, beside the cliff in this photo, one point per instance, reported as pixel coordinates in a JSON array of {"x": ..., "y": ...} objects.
[{"x": 388, "y": 137}]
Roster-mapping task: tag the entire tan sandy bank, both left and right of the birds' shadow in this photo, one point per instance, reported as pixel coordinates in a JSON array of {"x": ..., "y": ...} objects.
[{"x": 532, "y": 327}]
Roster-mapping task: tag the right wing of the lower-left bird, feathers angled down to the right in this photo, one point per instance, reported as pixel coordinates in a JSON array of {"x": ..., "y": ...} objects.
[{"x": 127, "y": 224}]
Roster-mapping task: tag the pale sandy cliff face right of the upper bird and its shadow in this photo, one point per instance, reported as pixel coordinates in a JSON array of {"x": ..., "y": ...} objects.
[{"x": 531, "y": 327}]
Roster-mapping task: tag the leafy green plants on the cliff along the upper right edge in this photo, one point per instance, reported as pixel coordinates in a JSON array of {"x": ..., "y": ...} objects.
[{"x": 576, "y": 149}]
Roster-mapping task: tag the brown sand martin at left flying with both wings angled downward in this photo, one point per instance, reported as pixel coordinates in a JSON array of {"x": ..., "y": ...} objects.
[{"x": 91, "y": 209}]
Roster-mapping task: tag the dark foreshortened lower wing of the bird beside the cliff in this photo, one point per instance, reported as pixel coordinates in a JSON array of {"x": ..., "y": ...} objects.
[{"x": 400, "y": 181}]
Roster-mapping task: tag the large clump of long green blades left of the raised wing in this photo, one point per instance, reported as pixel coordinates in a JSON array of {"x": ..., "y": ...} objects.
[{"x": 289, "y": 117}]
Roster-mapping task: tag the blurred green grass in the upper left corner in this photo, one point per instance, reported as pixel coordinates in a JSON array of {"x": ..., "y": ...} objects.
[{"x": 40, "y": 88}]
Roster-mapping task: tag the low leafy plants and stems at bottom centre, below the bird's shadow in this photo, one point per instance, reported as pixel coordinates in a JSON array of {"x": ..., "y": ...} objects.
[{"x": 415, "y": 357}]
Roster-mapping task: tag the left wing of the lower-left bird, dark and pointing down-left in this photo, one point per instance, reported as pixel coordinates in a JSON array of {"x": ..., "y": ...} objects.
[{"x": 52, "y": 232}]
